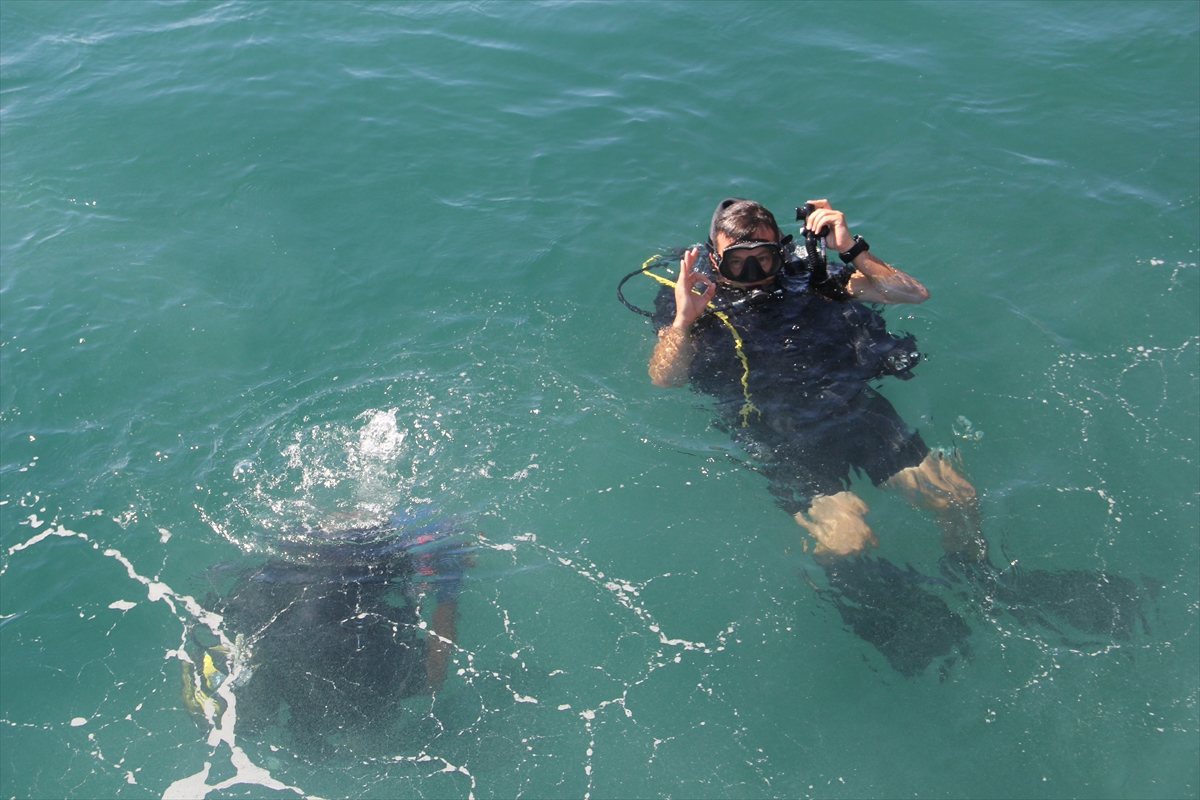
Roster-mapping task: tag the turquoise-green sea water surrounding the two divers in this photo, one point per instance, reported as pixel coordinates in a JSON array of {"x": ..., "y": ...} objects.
[{"x": 269, "y": 264}]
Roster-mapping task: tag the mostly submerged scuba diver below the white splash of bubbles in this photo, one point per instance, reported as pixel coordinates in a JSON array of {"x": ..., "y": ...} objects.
[{"x": 329, "y": 635}]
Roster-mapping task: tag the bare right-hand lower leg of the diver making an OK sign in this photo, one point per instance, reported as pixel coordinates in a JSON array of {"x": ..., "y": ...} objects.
[{"x": 937, "y": 486}]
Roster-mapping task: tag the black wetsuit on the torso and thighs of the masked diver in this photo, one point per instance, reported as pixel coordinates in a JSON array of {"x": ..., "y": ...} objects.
[{"x": 807, "y": 414}]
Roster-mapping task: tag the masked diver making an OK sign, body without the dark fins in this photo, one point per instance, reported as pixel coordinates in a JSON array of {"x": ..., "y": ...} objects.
[{"x": 805, "y": 402}]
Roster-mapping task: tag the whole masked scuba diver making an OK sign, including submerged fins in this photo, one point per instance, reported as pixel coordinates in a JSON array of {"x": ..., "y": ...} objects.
[{"x": 784, "y": 344}]
